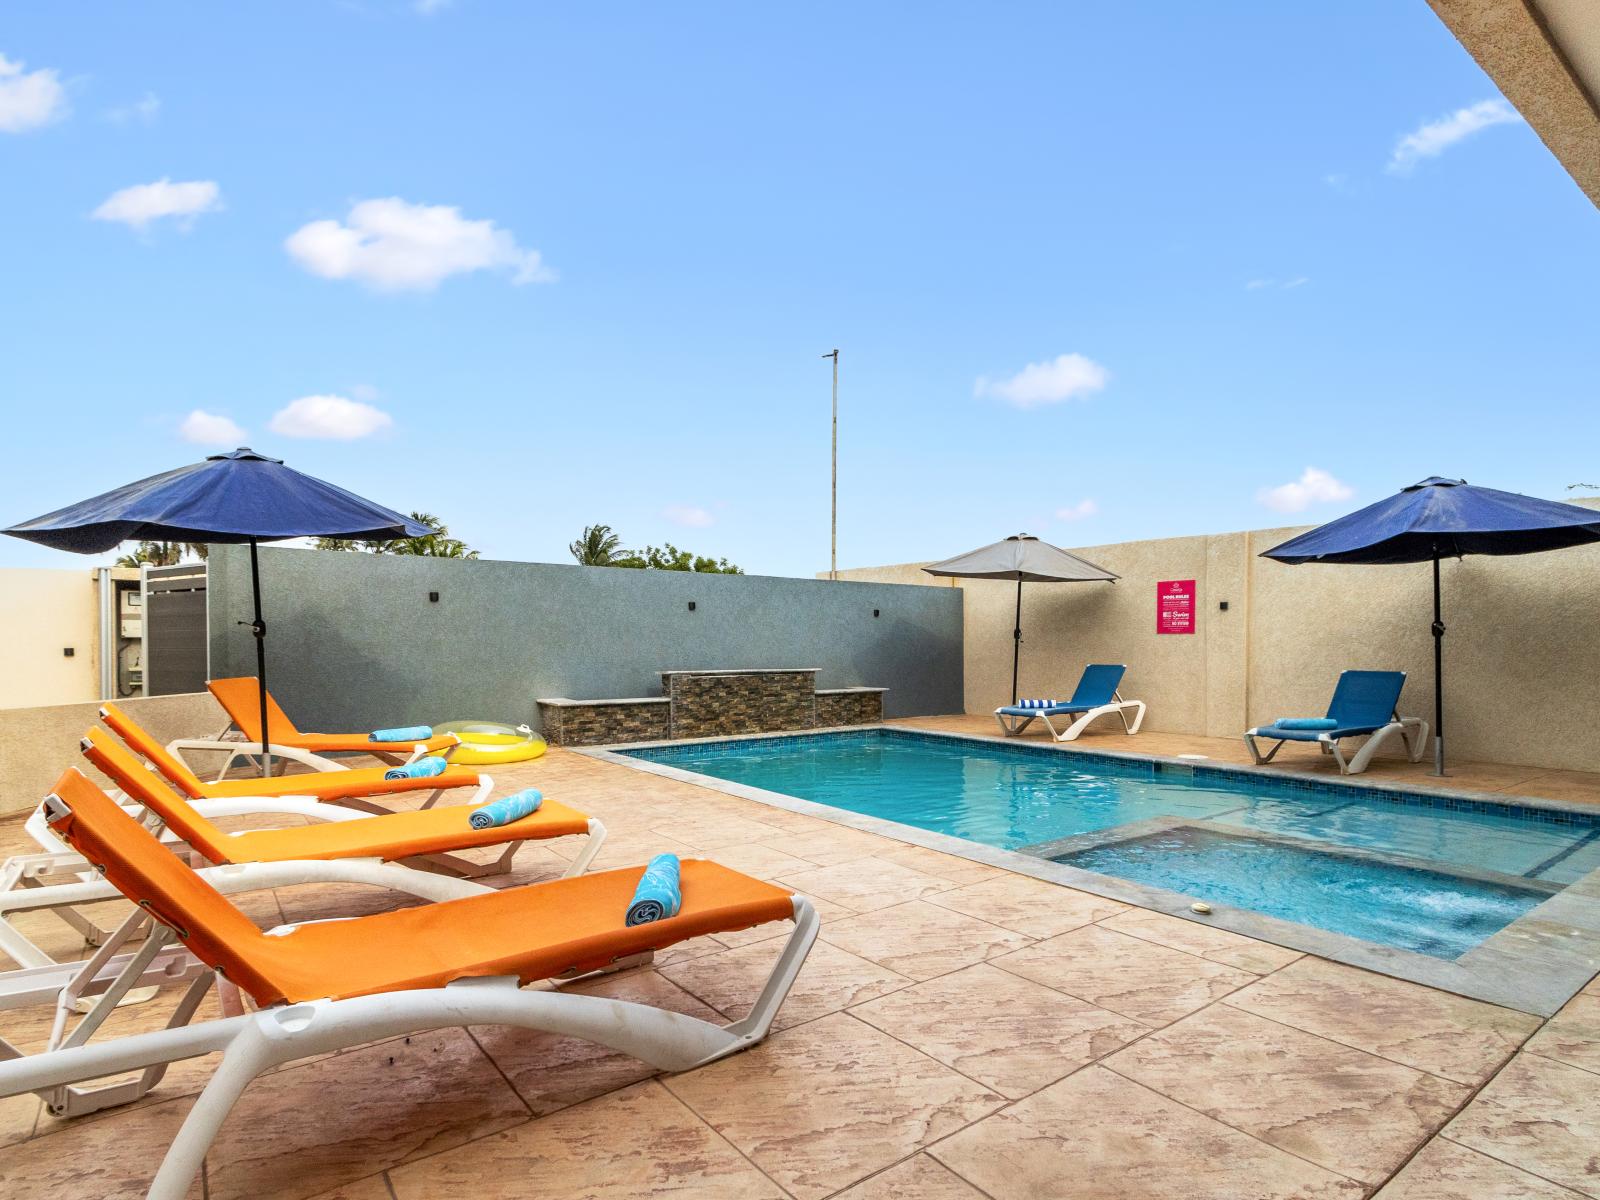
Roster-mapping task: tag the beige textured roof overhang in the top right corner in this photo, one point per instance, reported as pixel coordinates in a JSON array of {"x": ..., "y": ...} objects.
[{"x": 1545, "y": 57}]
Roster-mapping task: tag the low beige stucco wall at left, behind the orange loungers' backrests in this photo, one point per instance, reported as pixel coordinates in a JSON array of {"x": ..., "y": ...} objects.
[{"x": 38, "y": 745}]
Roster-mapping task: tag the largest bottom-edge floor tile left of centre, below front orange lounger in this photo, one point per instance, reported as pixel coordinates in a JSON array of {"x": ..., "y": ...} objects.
[{"x": 633, "y": 1145}]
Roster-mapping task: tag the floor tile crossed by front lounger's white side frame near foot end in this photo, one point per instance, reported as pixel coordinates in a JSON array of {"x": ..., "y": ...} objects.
[{"x": 551, "y": 1073}]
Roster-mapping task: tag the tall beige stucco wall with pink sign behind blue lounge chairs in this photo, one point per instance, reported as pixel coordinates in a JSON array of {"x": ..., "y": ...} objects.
[{"x": 1521, "y": 658}]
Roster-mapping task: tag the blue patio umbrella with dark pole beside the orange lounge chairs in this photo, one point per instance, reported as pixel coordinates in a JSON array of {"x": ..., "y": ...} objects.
[{"x": 236, "y": 498}]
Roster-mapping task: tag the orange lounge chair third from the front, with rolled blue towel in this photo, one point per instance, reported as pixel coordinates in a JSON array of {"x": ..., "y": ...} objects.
[{"x": 354, "y": 788}]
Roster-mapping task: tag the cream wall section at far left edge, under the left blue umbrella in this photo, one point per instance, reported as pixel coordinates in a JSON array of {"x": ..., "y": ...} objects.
[{"x": 42, "y": 612}]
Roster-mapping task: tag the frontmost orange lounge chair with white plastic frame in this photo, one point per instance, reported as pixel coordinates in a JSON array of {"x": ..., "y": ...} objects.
[{"x": 335, "y": 985}]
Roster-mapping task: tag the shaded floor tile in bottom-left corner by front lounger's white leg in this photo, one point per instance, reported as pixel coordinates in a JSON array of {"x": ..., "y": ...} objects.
[{"x": 113, "y": 1159}]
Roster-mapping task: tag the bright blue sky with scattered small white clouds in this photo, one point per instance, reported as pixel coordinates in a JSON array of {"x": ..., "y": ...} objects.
[{"x": 1097, "y": 271}]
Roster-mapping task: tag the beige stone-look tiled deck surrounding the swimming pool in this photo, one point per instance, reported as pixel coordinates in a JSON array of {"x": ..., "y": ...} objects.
[{"x": 959, "y": 1033}]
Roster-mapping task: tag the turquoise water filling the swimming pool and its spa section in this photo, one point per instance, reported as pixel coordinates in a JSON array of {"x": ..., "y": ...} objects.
[{"x": 1025, "y": 796}]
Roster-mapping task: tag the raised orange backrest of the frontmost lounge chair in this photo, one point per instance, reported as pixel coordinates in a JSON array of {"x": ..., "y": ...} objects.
[{"x": 151, "y": 876}]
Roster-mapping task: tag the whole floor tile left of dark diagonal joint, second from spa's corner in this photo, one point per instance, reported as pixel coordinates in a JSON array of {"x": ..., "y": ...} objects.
[{"x": 1345, "y": 1110}]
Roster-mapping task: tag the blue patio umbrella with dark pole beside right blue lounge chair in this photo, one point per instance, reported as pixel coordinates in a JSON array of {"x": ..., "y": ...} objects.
[{"x": 1442, "y": 519}]
